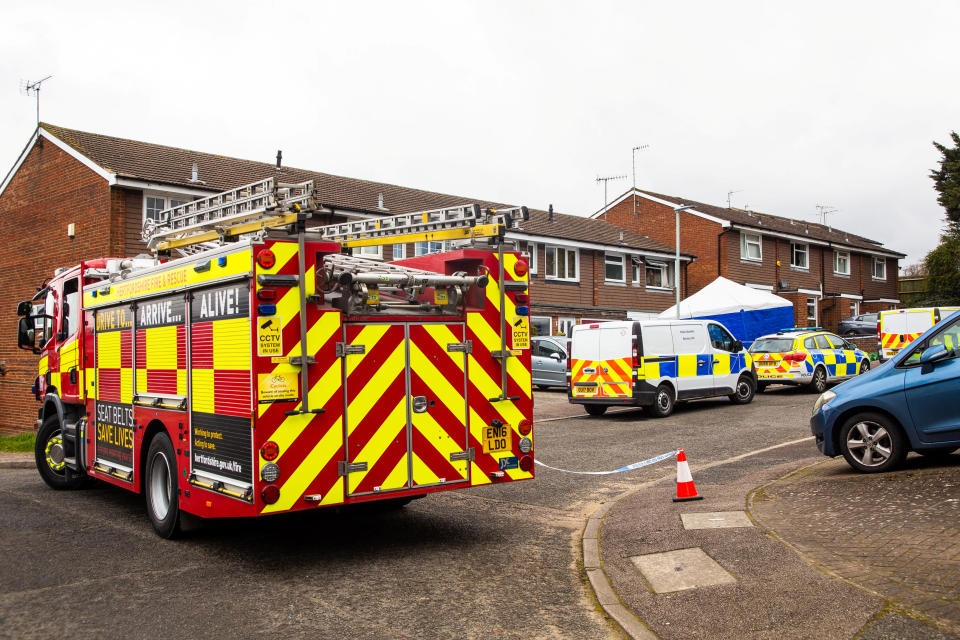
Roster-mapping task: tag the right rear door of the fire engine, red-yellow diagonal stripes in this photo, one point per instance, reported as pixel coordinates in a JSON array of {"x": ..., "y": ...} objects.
[{"x": 440, "y": 429}]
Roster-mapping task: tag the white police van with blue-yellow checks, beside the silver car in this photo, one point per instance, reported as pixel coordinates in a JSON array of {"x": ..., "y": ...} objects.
[{"x": 656, "y": 363}]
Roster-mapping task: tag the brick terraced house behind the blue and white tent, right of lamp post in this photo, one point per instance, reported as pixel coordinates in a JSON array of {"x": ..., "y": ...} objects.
[{"x": 827, "y": 273}]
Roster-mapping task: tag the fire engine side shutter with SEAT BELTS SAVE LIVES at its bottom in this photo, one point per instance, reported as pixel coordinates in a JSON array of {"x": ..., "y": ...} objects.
[{"x": 113, "y": 397}]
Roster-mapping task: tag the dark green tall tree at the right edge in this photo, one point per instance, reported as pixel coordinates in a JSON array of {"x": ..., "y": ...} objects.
[{"x": 943, "y": 263}]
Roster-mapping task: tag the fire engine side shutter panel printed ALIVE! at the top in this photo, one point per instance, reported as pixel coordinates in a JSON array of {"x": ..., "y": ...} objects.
[{"x": 221, "y": 438}]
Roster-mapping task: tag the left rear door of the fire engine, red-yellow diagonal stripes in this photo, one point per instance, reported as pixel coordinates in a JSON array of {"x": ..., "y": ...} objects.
[{"x": 376, "y": 413}]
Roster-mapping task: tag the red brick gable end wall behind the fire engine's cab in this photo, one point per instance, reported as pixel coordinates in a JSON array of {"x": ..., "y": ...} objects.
[{"x": 49, "y": 191}]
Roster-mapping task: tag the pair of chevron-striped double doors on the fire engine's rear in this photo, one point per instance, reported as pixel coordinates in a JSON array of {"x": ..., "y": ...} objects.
[{"x": 406, "y": 409}]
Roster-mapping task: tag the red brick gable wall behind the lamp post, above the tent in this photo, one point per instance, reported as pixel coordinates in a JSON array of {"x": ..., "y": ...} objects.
[{"x": 658, "y": 222}]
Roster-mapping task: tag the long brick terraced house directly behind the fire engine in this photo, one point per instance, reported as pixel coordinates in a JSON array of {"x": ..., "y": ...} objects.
[{"x": 73, "y": 195}]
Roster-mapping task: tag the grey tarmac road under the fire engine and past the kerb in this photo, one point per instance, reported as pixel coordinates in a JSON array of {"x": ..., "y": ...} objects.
[{"x": 499, "y": 561}]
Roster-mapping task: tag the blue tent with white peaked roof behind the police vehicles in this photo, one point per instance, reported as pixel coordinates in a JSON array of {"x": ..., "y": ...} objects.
[{"x": 747, "y": 313}]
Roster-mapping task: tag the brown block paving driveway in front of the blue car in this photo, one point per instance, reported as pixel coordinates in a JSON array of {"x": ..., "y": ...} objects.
[{"x": 897, "y": 534}]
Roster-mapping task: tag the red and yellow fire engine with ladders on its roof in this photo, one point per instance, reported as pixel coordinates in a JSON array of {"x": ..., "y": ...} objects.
[{"x": 251, "y": 365}]
